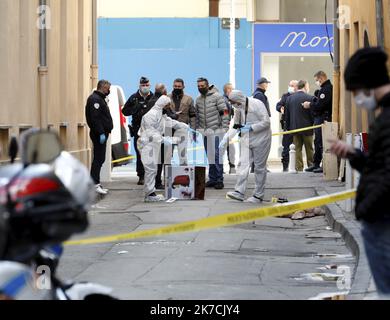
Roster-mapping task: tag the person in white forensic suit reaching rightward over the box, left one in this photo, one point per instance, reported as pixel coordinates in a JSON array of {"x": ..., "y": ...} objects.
[{"x": 151, "y": 135}]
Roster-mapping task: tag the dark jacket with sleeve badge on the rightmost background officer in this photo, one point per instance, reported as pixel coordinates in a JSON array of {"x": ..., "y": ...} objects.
[{"x": 322, "y": 104}]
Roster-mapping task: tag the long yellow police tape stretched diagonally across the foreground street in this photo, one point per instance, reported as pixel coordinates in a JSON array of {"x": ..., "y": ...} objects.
[{"x": 223, "y": 220}]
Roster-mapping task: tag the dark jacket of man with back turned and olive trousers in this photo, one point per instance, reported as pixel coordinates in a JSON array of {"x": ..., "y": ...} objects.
[{"x": 297, "y": 117}]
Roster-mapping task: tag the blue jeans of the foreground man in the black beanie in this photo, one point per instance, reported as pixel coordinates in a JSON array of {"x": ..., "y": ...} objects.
[{"x": 376, "y": 238}]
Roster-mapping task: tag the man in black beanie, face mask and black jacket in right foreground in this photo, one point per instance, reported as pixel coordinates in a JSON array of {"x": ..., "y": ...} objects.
[{"x": 367, "y": 77}]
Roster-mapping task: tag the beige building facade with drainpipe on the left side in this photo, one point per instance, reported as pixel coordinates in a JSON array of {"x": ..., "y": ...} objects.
[{"x": 51, "y": 95}]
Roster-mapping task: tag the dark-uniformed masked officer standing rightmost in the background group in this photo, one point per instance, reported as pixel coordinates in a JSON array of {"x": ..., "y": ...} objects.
[{"x": 321, "y": 108}]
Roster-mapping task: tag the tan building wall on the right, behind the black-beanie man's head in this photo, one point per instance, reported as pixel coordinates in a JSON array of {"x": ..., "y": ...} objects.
[{"x": 358, "y": 28}]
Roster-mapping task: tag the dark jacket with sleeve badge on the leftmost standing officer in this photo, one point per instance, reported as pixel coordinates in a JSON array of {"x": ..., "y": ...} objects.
[{"x": 98, "y": 115}]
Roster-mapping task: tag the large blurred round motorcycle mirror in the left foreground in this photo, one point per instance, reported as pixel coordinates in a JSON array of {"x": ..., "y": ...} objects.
[{"x": 40, "y": 147}]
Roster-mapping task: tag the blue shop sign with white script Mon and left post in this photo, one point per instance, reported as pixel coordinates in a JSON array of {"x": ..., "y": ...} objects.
[{"x": 290, "y": 38}]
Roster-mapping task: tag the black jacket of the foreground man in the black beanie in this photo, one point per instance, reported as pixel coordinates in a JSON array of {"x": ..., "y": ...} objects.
[{"x": 373, "y": 194}]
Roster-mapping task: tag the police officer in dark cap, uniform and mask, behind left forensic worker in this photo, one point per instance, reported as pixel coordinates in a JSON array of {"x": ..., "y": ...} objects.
[{"x": 137, "y": 106}]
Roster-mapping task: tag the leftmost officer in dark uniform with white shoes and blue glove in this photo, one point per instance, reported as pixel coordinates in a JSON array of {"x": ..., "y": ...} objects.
[{"x": 100, "y": 123}]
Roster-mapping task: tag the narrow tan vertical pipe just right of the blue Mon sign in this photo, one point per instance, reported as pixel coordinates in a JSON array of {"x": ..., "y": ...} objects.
[{"x": 336, "y": 71}]
